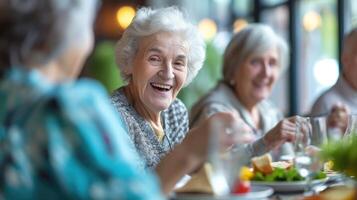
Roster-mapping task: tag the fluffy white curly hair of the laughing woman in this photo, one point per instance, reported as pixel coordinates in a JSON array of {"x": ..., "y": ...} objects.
[{"x": 147, "y": 22}]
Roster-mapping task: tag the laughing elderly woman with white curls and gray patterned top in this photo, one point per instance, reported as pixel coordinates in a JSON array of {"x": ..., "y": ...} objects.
[{"x": 158, "y": 54}]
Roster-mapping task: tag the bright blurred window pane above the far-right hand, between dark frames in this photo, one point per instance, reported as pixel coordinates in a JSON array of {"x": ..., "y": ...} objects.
[{"x": 317, "y": 45}]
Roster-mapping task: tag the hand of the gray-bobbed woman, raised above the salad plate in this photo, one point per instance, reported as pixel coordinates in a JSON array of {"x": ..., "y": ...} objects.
[{"x": 283, "y": 132}]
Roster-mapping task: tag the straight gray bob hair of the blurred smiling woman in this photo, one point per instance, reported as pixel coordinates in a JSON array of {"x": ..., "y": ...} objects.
[{"x": 252, "y": 40}]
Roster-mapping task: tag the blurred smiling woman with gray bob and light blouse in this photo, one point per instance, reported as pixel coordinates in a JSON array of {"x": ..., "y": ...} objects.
[{"x": 252, "y": 63}]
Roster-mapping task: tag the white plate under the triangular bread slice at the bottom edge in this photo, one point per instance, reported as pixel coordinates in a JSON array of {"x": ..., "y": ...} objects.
[{"x": 257, "y": 192}]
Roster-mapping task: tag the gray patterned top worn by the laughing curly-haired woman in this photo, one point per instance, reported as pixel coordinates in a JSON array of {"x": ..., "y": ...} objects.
[{"x": 175, "y": 125}]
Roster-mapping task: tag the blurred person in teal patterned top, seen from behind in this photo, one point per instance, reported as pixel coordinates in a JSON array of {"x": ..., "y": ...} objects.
[{"x": 61, "y": 138}]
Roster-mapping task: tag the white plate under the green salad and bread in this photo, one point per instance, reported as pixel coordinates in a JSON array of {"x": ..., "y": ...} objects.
[{"x": 284, "y": 186}]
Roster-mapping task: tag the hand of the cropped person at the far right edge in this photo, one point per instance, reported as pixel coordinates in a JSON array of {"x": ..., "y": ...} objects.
[{"x": 338, "y": 117}]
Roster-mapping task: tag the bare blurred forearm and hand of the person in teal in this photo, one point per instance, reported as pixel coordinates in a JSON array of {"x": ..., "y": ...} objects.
[{"x": 192, "y": 152}]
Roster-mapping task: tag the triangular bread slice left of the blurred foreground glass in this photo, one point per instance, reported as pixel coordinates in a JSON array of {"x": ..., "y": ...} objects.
[{"x": 199, "y": 183}]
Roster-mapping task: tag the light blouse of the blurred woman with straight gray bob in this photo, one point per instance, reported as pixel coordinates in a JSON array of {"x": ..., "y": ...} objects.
[{"x": 222, "y": 99}]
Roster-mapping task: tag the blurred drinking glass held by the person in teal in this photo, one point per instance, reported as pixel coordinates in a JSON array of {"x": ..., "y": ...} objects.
[{"x": 227, "y": 155}]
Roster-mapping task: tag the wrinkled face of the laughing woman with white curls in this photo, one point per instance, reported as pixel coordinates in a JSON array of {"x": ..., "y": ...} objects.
[{"x": 159, "y": 70}]
